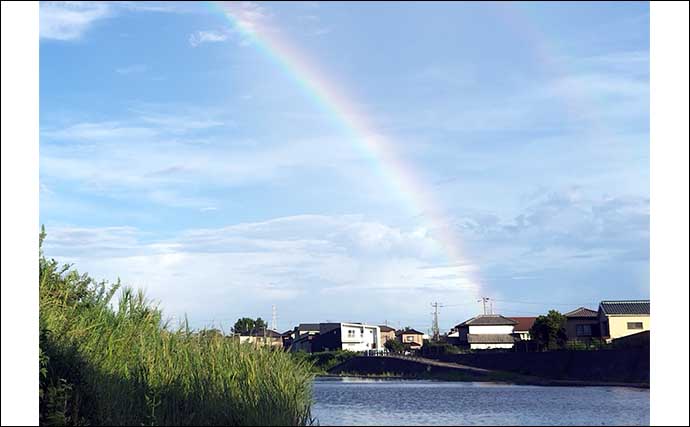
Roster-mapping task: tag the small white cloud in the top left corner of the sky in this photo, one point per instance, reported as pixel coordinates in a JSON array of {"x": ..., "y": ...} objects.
[{"x": 70, "y": 20}]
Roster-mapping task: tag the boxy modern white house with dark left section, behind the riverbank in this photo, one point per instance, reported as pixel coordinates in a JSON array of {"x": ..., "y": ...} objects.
[{"x": 337, "y": 336}]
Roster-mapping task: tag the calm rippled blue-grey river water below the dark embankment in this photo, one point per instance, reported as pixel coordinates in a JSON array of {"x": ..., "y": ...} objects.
[{"x": 352, "y": 401}]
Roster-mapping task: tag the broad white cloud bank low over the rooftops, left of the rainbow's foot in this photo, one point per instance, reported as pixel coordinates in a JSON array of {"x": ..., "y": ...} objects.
[{"x": 295, "y": 262}]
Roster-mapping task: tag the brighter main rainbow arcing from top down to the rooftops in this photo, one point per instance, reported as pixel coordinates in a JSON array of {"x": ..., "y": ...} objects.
[{"x": 380, "y": 150}]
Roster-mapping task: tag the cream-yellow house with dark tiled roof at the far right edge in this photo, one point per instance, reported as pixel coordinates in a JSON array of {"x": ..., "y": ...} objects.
[{"x": 622, "y": 318}]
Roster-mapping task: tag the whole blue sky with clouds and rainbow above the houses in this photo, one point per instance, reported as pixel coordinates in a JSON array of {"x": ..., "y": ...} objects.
[{"x": 349, "y": 162}]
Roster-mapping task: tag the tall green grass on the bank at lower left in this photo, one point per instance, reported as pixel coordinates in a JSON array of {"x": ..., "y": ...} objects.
[{"x": 119, "y": 363}]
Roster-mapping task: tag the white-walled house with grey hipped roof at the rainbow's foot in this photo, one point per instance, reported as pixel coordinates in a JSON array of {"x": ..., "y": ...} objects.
[{"x": 488, "y": 331}]
